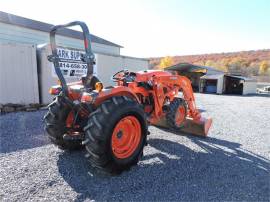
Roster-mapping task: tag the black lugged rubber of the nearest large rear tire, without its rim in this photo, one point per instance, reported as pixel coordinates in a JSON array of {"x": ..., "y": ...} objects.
[{"x": 98, "y": 134}]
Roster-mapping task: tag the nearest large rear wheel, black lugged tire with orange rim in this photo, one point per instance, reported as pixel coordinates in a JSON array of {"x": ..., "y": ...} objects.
[{"x": 117, "y": 122}]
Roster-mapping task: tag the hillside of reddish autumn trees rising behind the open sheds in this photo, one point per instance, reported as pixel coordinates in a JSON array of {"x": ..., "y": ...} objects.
[{"x": 248, "y": 63}]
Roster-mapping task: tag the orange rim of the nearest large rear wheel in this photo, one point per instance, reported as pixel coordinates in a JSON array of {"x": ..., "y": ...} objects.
[{"x": 126, "y": 137}]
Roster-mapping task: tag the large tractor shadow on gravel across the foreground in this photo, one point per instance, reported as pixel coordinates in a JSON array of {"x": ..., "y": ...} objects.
[{"x": 223, "y": 171}]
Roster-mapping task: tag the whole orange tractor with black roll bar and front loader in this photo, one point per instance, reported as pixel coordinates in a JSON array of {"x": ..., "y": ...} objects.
[{"x": 111, "y": 123}]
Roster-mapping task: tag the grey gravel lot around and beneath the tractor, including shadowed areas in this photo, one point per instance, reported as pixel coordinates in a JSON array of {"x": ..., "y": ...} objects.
[{"x": 231, "y": 164}]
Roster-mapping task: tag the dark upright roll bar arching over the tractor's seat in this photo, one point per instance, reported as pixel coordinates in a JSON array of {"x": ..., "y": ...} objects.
[{"x": 88, "y": 57}]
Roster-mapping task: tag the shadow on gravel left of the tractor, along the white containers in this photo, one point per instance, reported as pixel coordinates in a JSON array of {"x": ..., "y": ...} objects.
[{"x": 21, "y": 130}]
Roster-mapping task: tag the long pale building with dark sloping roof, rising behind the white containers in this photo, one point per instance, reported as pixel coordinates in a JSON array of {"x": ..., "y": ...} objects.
[{"x": 16, "y": 29}]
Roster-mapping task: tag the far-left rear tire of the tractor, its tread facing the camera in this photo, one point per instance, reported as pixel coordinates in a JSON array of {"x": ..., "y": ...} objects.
[{"x": 55, "y": 125}]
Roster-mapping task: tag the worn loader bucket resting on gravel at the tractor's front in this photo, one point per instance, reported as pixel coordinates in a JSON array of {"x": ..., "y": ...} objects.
[{"x": 198, "y": 128}]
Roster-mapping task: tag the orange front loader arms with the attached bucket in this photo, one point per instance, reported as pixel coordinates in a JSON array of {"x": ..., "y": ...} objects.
[{"x": 194, "y": 124}]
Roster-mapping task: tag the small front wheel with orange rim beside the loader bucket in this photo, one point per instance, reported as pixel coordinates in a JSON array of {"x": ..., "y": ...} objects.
[{"x": 176, "y": 114}]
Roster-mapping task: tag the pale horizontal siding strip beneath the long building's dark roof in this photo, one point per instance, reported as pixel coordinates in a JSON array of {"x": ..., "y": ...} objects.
[{"x": 10, "y": 33}]
